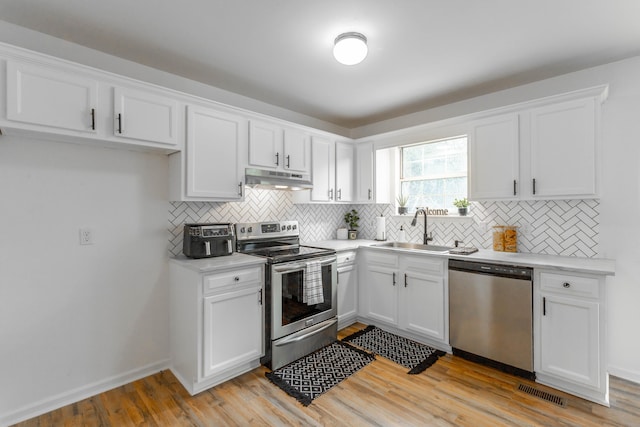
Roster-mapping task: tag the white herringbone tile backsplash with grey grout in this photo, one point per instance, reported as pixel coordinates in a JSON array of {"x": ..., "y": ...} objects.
[{"x": 556, "y": 227}]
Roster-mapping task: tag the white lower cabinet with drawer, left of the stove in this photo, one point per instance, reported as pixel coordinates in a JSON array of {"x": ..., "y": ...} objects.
[{"x": 216, "y": 324}]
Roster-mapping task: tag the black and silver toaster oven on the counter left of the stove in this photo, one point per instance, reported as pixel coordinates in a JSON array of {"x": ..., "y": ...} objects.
[{"x": 208, "y": 240}]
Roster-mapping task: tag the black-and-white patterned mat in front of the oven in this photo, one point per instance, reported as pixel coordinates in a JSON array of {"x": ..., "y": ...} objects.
[{"x": 310, "y": 376}]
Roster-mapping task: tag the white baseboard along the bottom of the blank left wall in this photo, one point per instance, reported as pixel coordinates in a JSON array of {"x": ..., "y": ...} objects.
[{"x": 80, "y": 393}]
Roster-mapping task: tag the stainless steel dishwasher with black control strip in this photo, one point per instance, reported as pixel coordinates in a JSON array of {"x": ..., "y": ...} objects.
[{"x": 491, "y": 315}]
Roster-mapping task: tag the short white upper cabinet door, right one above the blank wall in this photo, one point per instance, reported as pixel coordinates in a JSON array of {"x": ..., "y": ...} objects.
[{"x": 145, "y": 116}]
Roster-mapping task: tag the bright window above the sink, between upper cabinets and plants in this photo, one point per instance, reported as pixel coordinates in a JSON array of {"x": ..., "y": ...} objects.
[{"x": 434, "y": 174}]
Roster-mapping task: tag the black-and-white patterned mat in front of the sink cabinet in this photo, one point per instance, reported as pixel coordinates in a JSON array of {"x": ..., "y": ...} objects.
[{"x": 405, "y": 352}]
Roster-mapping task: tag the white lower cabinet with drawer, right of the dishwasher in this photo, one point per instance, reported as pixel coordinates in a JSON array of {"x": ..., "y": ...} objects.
[{"x": 569, "y": 333}]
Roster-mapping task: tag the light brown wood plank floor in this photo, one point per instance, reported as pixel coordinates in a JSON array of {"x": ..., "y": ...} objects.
[{"x": 451, "y": 392}]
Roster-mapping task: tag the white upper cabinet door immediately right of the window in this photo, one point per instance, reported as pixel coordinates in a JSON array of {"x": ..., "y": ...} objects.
[{"x": 494, "y": 158}]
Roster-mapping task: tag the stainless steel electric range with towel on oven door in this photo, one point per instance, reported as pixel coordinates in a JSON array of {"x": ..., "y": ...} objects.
[{"x": 295, "y": 324}]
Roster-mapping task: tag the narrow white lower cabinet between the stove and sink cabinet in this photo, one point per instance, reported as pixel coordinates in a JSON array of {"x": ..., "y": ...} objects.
[{"x": 347, "y": 288}]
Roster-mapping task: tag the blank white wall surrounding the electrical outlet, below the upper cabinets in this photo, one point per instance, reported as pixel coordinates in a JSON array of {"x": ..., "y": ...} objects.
[{"x": 76, "y": 319}]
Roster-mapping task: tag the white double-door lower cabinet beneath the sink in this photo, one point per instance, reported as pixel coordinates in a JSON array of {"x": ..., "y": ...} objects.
[{"x": 407, "y": 292}]
